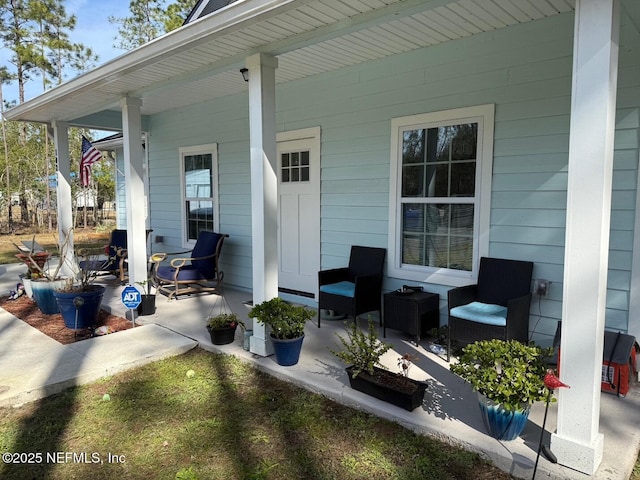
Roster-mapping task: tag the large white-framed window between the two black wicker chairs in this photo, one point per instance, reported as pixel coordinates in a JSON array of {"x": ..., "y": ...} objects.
[{"x": 440, "y": 192}]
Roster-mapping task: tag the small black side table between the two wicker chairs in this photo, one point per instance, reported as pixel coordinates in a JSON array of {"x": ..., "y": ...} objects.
[{"x": 412, "y": 313}]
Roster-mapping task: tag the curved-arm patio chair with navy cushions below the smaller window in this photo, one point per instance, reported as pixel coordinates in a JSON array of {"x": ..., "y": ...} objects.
[{"x": 198, "y": 273}]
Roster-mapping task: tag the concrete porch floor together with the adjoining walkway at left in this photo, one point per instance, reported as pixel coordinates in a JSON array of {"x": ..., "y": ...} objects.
[{"x": 33, "y": 366}]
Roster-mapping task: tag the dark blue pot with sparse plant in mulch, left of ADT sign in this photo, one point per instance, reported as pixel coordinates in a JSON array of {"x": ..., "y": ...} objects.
[{"x": 78, "y": 298}]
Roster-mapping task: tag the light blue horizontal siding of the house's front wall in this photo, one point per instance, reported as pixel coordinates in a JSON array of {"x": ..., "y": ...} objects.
[{"x": 525, "y": 70}]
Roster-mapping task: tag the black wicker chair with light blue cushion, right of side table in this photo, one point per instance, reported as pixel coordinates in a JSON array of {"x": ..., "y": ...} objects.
[{"x": 496, "y": 307}]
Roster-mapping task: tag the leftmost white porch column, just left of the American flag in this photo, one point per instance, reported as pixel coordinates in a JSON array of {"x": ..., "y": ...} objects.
[{"x": 65, "y": 208}]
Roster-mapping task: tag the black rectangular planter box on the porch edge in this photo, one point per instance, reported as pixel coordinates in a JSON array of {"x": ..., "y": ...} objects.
[{"x": 409, "y": 401}]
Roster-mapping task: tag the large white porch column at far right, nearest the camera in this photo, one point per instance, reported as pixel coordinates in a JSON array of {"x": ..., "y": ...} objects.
[{"x": 577, "y": 442}]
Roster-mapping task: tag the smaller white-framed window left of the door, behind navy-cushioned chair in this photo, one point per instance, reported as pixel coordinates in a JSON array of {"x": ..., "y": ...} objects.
[{"x": 199, "y": 189}]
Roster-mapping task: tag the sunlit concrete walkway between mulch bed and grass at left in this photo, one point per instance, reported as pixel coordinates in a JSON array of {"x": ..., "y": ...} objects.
[{"x": 33, "y": 366}]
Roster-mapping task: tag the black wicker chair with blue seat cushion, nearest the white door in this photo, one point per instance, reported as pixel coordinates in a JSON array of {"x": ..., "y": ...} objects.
[{"x": 355, "y": 289}]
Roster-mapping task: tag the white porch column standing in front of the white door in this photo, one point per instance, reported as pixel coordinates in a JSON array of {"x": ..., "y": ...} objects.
[{"x": 264, "y": 186}]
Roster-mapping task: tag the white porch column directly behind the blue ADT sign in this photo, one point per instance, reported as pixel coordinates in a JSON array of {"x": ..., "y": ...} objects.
[{"x": 134, "y": 189}]
